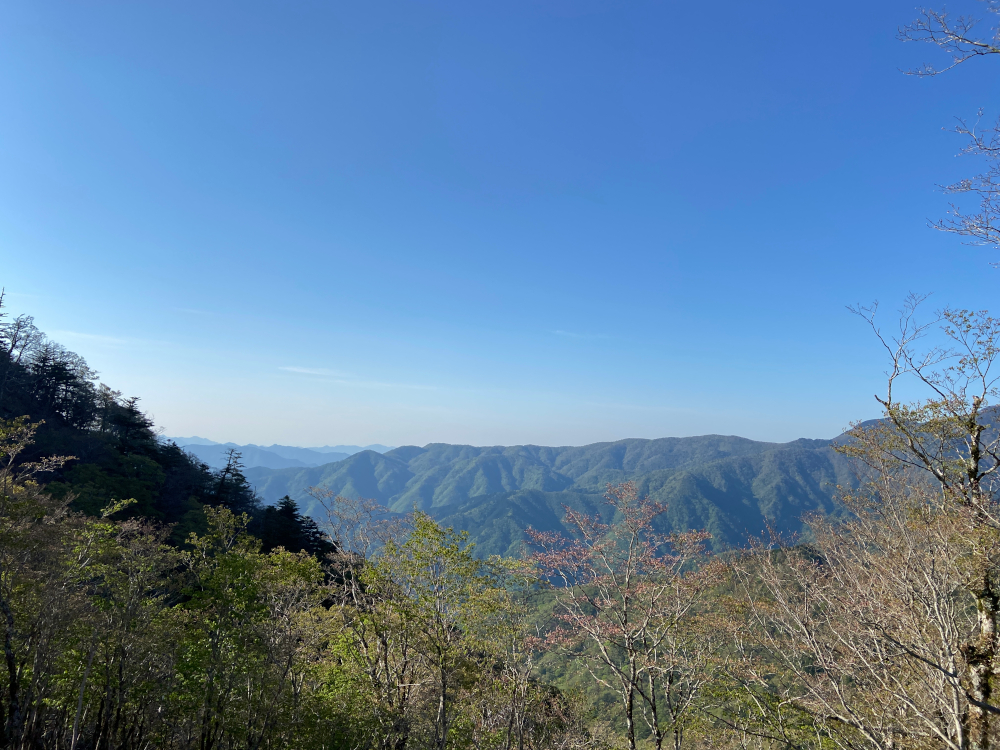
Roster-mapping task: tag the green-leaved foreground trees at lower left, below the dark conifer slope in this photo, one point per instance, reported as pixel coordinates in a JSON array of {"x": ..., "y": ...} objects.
[{"x": 117, "y": 638}]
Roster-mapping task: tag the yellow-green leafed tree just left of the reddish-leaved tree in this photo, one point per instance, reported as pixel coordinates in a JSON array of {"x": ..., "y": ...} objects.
[{"x": 436, "y": 637}]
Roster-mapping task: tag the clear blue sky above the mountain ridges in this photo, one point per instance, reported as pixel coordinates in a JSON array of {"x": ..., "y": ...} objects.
[{"x": 557, "y": 222}]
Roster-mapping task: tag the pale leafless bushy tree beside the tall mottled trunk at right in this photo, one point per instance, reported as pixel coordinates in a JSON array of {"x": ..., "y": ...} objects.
[{"x": 871, "y": 629}]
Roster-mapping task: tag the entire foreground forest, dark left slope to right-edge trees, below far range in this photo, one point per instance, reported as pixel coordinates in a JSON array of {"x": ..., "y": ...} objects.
[{"x": 148, "y": 601}]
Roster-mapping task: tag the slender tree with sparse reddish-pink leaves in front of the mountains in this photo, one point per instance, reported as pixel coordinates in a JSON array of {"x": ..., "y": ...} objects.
[{"x": 628, "y": 596}]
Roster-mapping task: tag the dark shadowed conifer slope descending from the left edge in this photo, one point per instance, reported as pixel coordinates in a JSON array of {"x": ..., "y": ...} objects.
[{"x": 112, "y": 449}]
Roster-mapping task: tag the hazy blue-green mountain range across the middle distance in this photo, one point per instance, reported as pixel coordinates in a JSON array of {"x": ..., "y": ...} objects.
[{"x": 731, "y": 486}]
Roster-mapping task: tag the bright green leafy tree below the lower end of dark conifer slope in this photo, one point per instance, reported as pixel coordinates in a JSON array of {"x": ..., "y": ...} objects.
[{"x": 246, "y": 622}]
